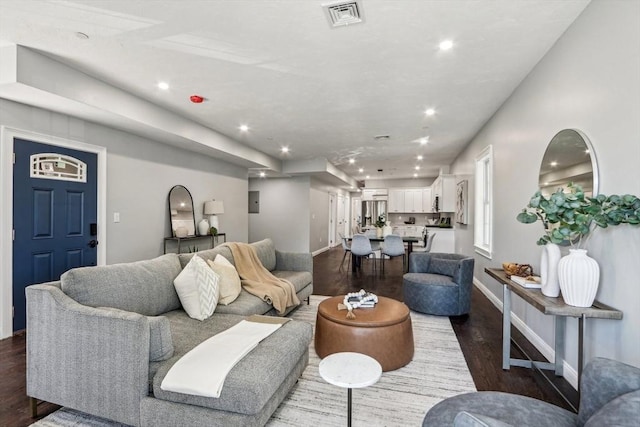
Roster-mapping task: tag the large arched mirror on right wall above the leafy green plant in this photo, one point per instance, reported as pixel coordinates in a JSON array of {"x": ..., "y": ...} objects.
[{"x": 569, "y": 158}]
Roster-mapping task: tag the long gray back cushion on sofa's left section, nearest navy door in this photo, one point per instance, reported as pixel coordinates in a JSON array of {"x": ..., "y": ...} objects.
[{"x": 144, "y": 287}]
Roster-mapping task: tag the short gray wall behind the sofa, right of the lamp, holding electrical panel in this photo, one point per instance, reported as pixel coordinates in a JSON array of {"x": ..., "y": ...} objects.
[{"x": 284, "y": 212}]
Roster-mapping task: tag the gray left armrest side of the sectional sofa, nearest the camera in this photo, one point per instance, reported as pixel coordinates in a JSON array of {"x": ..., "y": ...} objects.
[{"x": 90, "y": 359}]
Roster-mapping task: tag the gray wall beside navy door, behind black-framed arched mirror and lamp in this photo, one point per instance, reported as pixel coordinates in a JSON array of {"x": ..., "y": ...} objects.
[{"x": 140, "y": 174}]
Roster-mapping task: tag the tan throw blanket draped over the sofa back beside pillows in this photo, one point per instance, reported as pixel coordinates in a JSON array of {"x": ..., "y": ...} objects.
[{"x": 259, "y": 281}]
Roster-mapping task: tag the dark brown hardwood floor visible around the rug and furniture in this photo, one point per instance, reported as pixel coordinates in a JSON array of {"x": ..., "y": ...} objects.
[{"x": 479, "y": 335}]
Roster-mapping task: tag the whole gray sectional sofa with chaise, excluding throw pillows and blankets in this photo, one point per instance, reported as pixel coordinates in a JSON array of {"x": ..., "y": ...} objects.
[{"x": 101, "y": 340}]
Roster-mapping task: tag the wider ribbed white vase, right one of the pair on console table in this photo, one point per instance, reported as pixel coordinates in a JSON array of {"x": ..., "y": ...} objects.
[{"x": 579, "y": 276}]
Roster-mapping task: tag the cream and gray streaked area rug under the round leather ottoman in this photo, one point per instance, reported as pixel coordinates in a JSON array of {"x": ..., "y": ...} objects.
[{"x": 400, "y": 398}]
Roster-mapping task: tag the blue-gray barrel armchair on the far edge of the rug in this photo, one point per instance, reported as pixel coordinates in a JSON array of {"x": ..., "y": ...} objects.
[{"x": 438, "y": 283}]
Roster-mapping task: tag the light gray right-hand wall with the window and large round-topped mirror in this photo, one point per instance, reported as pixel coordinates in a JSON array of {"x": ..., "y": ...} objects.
[{"x": 590, "y": 80}]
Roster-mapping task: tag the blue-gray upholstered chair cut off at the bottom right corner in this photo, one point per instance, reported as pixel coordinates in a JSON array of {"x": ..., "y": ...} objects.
[{"x": 610, "y": 396}]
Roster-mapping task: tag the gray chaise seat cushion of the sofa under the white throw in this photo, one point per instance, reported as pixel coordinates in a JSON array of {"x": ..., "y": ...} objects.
[{"x": 252, "y": 382}]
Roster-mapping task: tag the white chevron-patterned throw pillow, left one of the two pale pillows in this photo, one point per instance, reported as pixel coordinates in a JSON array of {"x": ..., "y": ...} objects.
[{"x": 198, "y": 288}]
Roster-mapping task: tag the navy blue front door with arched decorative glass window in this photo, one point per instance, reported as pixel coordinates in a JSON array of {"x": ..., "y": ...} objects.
[{"x": 54, "y": 216}]
